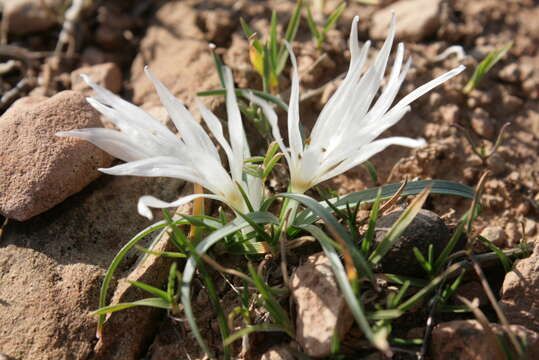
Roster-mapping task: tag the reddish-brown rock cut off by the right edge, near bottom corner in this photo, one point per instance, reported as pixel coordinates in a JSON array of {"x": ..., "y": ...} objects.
[{"x": 520, "y": 293}]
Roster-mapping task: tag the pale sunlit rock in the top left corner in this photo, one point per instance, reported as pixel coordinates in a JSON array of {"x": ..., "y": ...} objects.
[{"x": 29, "y": 16}]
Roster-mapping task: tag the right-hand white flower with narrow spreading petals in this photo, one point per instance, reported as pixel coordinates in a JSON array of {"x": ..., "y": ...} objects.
[{"x": 345, "y": 131}]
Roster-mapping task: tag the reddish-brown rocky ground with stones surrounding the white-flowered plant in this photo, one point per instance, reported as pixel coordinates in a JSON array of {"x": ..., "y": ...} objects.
[{"x": 67, "y": 221}]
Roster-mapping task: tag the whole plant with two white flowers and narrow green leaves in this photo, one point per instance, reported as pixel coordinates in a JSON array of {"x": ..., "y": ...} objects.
[{"x": 344, "y": 136}]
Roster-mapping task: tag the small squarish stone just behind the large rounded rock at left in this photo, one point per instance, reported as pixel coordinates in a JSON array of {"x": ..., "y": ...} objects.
[{"x": 107, "y": 75}]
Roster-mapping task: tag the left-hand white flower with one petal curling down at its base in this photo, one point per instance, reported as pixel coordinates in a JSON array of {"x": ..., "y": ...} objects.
[{"x": 151, "y": 149}]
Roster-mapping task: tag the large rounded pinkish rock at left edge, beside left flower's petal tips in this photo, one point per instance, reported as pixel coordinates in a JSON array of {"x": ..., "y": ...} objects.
[{"x": 38, "y": 170}]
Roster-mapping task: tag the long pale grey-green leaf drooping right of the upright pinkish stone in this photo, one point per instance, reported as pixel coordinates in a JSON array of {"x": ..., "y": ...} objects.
[{"x": 342, "y": 279}]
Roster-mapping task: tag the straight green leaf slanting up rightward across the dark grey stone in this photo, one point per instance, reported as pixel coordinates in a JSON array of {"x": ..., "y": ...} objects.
[{"x": 399, "y": 226}]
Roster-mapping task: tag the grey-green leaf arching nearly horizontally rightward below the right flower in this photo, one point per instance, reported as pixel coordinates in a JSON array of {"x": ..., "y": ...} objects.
[{"x": 442, "y": 187}]
